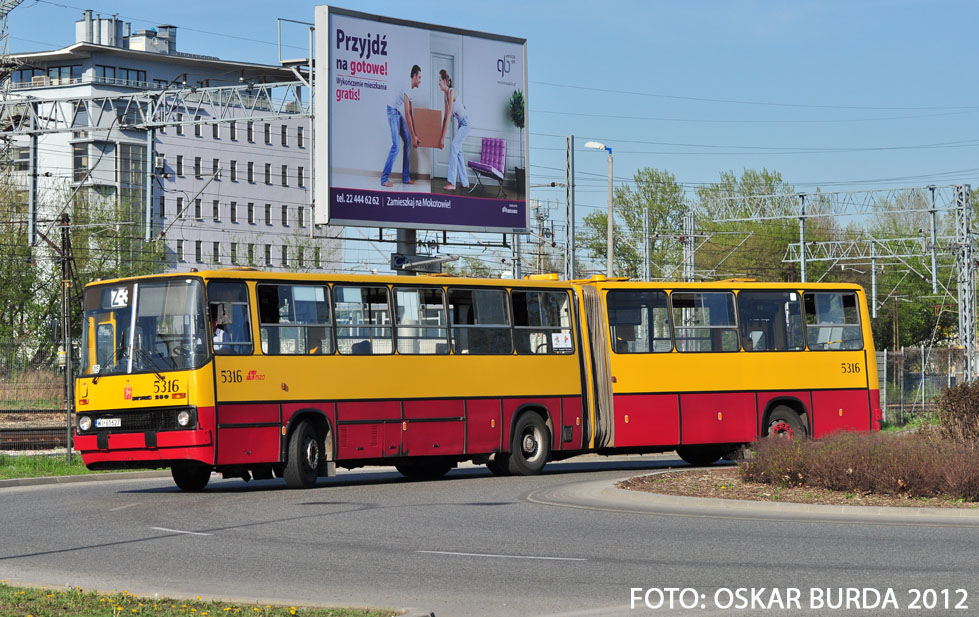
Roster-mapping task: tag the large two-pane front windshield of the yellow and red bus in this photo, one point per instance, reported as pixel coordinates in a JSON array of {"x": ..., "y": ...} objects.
[{"x": 166, "y": 332}]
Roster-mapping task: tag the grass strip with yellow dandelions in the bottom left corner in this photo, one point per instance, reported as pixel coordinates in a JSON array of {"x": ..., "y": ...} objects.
[{"x": 75, "y": 602}]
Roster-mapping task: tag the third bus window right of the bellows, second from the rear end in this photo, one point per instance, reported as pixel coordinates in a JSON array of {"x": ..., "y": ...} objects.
[{"x": 770, "y": 321}]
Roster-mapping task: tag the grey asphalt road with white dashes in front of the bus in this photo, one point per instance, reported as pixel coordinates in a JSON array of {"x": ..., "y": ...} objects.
[{"x": 471, "y": 544}]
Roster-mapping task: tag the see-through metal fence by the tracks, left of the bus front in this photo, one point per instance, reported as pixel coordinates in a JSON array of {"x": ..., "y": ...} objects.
[{"x": 33, "y": 410}]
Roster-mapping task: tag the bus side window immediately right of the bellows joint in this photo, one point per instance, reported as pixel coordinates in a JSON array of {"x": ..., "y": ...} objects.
[{"x": 639, "y": 322}]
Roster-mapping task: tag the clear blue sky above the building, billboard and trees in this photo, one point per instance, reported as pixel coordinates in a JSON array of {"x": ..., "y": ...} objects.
[{"x": 843, "y": 95}]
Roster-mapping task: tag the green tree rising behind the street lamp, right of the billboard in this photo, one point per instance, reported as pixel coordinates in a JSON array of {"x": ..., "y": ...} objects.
[{"x": 656, "y": 191}]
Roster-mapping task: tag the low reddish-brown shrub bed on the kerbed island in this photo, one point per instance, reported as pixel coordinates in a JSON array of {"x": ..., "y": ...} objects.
[{"x": 912, "y": 465}]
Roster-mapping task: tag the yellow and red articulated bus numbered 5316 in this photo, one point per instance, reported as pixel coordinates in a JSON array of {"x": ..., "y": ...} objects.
[{"x": 261, "y": 375}]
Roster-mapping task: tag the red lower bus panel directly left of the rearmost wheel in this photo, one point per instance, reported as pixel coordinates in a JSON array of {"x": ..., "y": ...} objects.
[{"x": 718, "y": 417}]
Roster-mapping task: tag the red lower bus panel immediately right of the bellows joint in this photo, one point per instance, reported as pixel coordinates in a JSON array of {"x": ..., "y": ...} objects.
[{"x": 646, "y": 420}]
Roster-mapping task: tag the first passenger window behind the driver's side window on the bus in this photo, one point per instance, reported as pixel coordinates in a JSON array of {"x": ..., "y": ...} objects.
[{"x": 294, "y": 319}]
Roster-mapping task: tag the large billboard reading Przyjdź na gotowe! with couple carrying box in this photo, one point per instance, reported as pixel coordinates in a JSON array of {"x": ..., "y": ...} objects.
[{"x": 414, "y": 128}]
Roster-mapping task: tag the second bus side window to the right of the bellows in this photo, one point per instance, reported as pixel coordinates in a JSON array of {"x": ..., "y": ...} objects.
[{"x": 705, "y": 321}]
